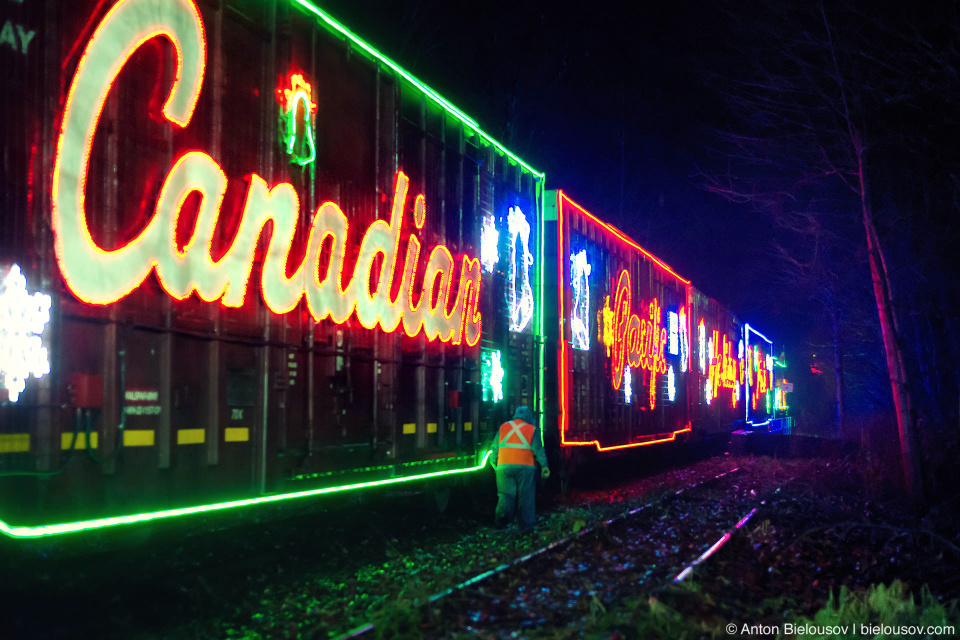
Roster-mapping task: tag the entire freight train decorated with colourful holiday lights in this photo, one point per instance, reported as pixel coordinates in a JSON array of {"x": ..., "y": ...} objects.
[{"x": 246, "y": 258}]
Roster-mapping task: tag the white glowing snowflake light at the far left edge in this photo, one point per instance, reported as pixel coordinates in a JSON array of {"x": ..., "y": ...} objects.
[{"x": 22, "y": 319}]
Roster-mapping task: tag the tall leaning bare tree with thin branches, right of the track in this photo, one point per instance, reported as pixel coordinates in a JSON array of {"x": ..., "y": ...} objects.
[{"x": 817, "y": 94}]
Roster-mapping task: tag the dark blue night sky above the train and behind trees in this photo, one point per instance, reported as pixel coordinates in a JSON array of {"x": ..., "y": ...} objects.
[{"x": 621, "y": 108}]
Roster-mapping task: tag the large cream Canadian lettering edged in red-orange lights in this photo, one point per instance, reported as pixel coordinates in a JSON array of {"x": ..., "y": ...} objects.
[{"x": 444, "y": 308}]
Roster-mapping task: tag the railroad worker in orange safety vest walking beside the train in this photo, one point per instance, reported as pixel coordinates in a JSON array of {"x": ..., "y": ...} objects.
[{"x": 515, "y": 447}]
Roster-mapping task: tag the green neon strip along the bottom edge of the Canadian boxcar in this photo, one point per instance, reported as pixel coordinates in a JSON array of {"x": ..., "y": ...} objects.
[{"x": 100, "y": 523}]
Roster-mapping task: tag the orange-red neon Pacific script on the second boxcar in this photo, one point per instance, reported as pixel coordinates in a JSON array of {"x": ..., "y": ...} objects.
[{"x": 636, "y": 342}]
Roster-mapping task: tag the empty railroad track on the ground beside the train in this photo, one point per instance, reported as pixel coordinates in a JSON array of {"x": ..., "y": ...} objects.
[{"x": 472, "y": 596}]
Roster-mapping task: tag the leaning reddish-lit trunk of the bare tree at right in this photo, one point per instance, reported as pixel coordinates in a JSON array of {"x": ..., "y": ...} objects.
[{"x": 910, "y": 456}]
